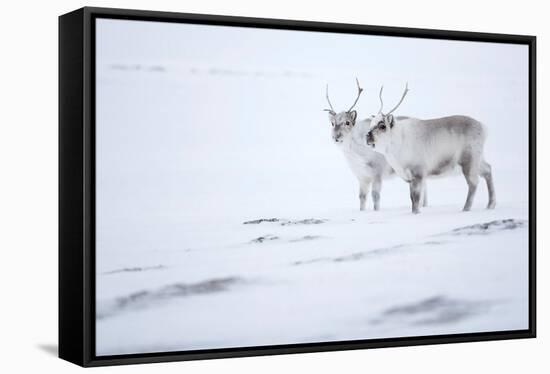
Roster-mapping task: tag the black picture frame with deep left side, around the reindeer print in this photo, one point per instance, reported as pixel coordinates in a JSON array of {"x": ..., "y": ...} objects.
[{"x": 77, "y": 185}]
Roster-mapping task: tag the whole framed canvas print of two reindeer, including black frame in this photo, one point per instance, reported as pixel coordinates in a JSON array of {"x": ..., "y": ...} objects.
[{"x": 236, "y": 186}]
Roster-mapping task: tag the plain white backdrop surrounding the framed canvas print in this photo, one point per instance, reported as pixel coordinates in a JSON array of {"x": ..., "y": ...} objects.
[{"x": 28, "y": 123}]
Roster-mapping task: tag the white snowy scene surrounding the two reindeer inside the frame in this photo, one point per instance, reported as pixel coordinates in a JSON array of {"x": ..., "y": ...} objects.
[{"x": 227, "y": 218}]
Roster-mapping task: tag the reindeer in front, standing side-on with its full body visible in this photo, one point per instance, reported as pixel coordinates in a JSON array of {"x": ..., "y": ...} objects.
[{"x": 417, "y": 149}]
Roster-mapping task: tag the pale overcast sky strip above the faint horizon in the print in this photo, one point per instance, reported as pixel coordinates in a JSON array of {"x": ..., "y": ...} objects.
[{"x": 120, "y": 40}]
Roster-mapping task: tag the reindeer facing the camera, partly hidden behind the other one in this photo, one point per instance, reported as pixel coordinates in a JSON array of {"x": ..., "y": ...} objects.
[{"x": 348, "y": 134}]
